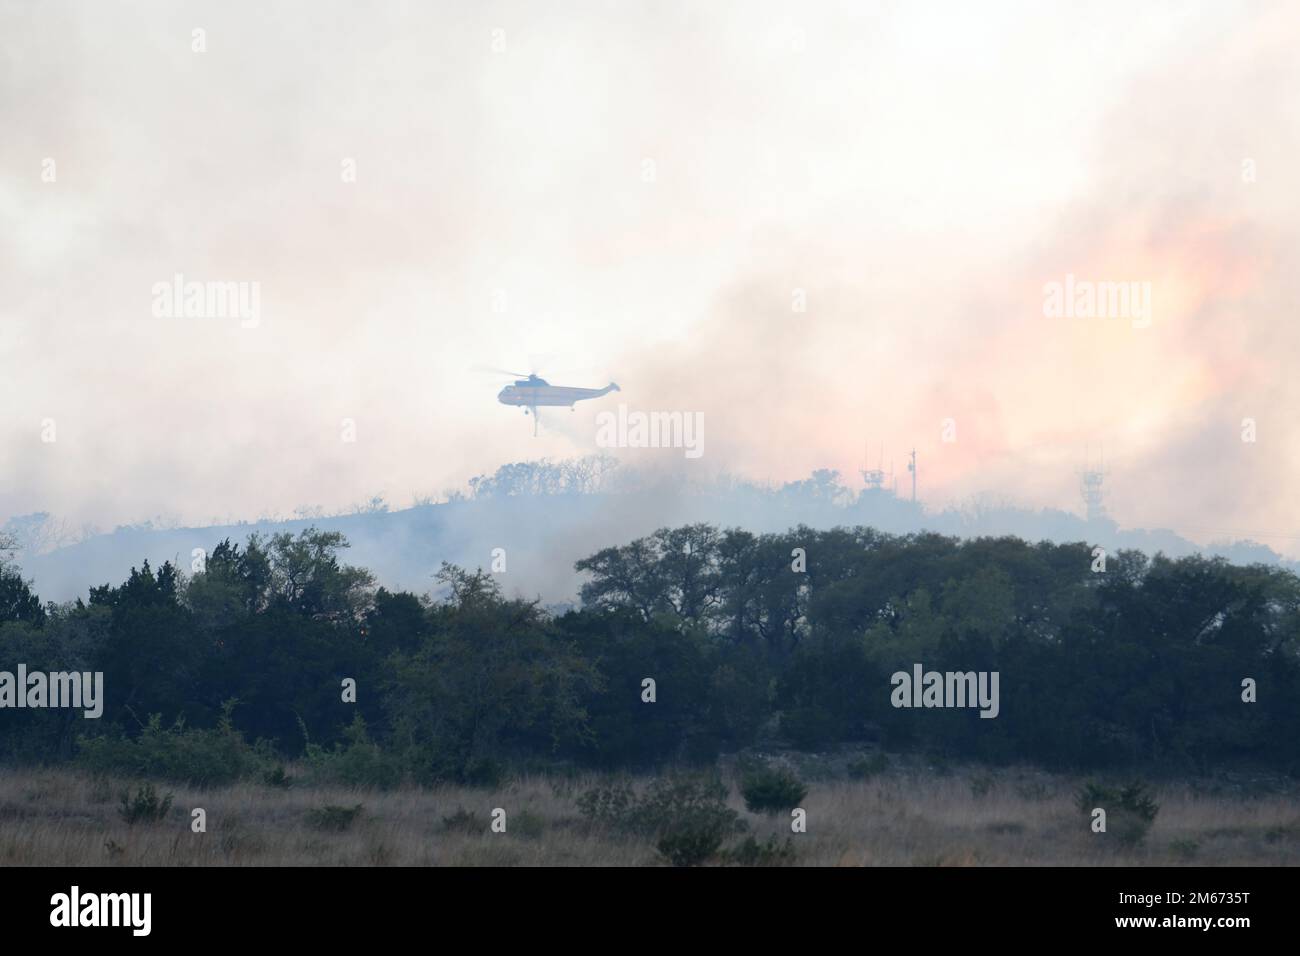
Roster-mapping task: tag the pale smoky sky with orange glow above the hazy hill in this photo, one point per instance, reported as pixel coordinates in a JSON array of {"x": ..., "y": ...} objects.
[{"x": 642, "y": 193}]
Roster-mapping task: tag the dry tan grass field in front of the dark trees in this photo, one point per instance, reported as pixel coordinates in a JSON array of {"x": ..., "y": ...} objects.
[{"x": 903, "y": 817}]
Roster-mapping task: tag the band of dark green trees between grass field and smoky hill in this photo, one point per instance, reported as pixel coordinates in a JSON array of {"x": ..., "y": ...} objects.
[{"x": 774, "y": 641}]
